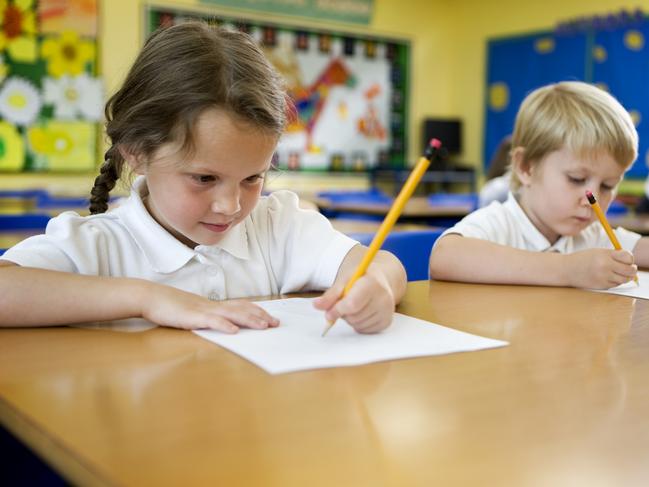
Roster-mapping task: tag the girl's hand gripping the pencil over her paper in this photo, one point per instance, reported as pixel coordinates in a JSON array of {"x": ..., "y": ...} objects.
[{"x": 368, "y": 306}]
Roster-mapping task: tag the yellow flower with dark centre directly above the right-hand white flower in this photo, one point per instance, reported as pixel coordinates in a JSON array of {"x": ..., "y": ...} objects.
[{"x": 67, "y": 54}]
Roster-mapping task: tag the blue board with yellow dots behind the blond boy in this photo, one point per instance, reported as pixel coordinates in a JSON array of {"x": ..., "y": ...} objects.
[{"x": 612, "y": 54}]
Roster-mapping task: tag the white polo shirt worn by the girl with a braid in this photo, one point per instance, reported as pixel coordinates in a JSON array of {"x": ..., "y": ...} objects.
[{"x": 278, "y": 248}]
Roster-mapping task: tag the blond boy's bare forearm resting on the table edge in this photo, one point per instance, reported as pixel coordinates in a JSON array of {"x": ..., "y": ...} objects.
[{"x": 457, "y": 258}]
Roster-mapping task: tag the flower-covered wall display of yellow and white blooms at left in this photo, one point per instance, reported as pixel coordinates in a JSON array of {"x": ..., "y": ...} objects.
[{"x": 50, "y": 96}]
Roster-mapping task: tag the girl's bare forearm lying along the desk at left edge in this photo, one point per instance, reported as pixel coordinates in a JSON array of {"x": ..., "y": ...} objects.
[{"x": 36, "y": 297}]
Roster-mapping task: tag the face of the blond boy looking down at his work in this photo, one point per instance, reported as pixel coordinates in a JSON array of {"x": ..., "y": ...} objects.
[{"x": 553, "y": 191}]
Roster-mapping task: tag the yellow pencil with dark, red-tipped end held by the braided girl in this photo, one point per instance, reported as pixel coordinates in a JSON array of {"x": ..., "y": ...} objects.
[{"x": 432, "y": 151}]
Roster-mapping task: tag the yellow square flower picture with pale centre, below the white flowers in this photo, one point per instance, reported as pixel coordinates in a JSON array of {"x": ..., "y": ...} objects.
[{"x": 63, "y": 146}]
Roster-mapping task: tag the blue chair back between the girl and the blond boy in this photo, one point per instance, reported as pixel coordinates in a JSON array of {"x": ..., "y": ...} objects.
[{"x": 412, "y": 248}]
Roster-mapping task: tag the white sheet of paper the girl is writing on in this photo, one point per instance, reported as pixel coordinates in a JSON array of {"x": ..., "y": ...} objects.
[{"x": 297, "y": 343}]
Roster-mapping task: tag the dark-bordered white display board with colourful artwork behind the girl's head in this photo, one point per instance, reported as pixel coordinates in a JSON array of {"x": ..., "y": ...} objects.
[{"x": 350, "y": 92}]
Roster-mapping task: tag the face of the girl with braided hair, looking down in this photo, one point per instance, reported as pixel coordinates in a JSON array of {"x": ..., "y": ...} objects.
[{"x": 199, "y": 197}]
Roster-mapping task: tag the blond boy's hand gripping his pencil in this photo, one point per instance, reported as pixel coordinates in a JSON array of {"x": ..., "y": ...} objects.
[{"x": 600, "y": 268}]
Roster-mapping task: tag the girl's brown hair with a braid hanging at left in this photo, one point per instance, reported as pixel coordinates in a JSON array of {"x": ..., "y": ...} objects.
[{"x": 182, "y": 71}]
